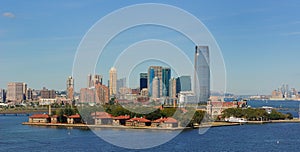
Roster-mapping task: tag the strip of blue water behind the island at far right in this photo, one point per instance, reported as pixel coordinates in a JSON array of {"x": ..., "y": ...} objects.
[{"x": 284, "y": 106}]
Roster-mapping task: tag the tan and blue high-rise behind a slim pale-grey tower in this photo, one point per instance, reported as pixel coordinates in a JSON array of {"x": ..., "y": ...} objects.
[{"x": 154, "y": 71}]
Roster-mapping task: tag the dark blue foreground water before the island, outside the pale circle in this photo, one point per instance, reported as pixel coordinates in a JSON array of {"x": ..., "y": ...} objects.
[{"x": 266, "y": 137}]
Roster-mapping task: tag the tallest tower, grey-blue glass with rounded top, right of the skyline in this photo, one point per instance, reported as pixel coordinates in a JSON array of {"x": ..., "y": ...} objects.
[{"x": 202, "y": 73}]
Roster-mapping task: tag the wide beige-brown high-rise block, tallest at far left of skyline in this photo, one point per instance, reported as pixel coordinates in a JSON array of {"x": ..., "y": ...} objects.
[{"x": 16, "y": 91}]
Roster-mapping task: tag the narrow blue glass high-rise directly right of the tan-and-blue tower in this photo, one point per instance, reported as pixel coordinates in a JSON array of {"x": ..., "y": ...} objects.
[{"x": 166, "y": 76}]
